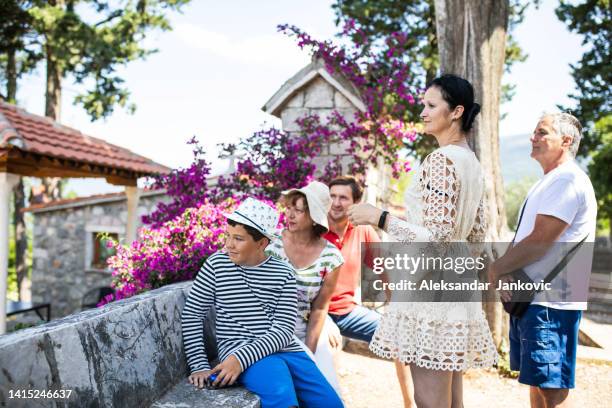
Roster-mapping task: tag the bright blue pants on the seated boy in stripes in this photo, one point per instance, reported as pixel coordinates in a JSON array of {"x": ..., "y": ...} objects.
[{"x": 290, "y": 379}]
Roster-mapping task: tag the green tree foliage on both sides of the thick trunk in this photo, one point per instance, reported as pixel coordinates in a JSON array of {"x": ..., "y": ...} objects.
[{"x": 376, "y": 20}]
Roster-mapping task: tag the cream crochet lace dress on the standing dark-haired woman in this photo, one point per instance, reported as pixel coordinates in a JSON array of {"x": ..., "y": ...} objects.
[{"x": 445, "y": 203}]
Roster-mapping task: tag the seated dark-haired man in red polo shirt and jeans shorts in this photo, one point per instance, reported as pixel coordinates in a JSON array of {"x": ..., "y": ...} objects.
[{"x": 353, "y": 320}]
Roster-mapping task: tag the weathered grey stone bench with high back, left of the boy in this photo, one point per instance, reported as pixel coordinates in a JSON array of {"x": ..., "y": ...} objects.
[{"x": 126, "y": 354}]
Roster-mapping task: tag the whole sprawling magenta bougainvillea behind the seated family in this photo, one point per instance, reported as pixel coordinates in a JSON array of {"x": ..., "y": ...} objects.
[{"x": 186, "y": 230}]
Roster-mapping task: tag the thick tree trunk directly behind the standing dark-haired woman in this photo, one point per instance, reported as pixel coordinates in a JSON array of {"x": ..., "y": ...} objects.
[{"x": 471, "y": 43}]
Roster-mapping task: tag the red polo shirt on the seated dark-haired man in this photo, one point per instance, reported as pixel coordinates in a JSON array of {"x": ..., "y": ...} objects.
[{"x": 343, "y": 298}]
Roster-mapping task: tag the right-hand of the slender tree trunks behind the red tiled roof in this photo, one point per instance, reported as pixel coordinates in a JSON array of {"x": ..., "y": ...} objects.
[{"x": 53, "y": 104}]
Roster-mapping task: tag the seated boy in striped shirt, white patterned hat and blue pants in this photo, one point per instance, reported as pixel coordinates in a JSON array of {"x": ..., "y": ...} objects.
[{"x": 255, "y": 301}]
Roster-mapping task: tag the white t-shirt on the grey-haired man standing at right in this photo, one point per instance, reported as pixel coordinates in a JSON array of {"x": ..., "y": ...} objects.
[{"x": 566, "y": 193}]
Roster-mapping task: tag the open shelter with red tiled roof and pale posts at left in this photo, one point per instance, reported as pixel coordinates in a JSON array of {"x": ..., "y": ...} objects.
[{"x": 36, "y": 146}]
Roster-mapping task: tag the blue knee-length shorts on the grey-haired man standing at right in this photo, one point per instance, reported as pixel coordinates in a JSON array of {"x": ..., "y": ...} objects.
[{"x": 543, "y": 344}]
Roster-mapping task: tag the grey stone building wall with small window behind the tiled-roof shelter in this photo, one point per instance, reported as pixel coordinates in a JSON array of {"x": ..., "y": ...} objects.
[{"x": 62, "y": 246}]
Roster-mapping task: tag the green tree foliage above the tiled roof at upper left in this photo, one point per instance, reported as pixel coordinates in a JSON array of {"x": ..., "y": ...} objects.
[{"x": 90, "y": 40}]
